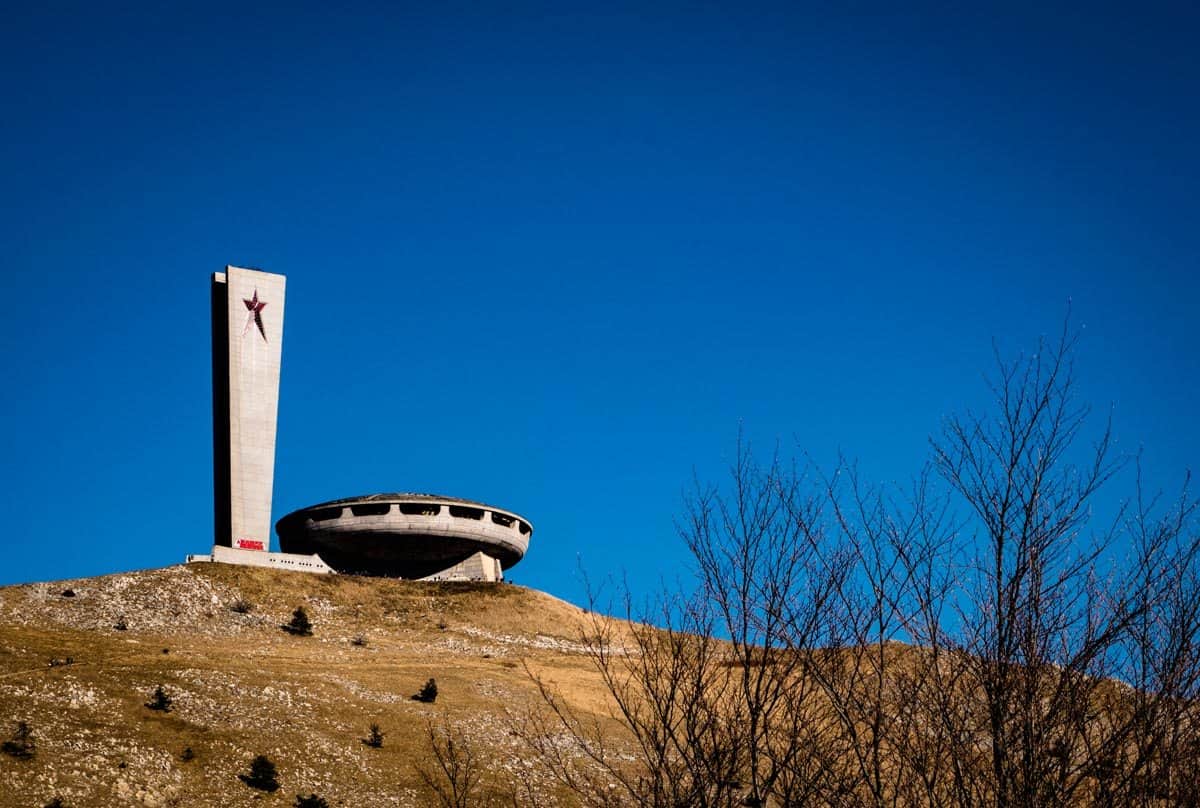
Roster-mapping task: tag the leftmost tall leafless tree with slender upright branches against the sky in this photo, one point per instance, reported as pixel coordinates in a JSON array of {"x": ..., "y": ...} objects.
[{"x": 772, "y": 577}]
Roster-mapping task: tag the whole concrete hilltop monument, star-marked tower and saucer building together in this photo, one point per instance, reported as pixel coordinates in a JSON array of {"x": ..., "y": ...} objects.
[{"x": 398, "y": 535}]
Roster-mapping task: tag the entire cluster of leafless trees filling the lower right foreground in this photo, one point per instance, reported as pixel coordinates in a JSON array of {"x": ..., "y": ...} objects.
[{"x": 977, "y": 638}]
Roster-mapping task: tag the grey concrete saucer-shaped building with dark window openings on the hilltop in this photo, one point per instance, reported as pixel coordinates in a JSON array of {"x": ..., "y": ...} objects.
[{"x": 406, "y": 536}]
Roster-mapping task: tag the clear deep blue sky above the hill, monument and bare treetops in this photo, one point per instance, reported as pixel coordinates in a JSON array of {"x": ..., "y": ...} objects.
[{"x": 551, "y": 258}]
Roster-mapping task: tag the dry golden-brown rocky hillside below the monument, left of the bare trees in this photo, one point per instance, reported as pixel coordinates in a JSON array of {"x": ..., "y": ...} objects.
[{"x": 80, "y": 668}]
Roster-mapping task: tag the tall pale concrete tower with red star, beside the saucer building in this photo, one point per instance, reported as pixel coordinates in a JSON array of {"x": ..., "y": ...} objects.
[{"x": 248, "y": 337}]
